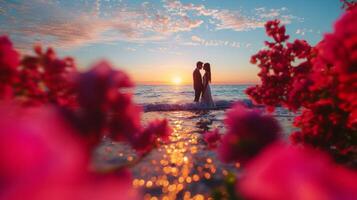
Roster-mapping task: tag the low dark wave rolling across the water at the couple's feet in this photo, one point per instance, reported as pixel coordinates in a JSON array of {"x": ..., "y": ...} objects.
[{"x": 220, "y": 105}]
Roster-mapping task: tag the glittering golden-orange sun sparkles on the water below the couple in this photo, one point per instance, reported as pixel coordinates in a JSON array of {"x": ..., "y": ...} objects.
[{"x": 177, "y": 171}]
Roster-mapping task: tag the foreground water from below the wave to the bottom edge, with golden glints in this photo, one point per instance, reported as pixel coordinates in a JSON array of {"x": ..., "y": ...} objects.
[{"x": 183, "y": 168}]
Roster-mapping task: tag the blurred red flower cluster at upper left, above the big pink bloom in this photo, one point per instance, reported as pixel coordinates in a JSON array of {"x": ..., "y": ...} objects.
[{"x": 44, "y": 78}]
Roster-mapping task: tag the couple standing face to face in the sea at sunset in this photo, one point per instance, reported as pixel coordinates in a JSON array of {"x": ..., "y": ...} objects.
[{"x": 202, "y": 86}]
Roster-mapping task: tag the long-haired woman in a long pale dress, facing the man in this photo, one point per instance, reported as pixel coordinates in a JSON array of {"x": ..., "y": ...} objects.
[{"x": 206, "y": 99}]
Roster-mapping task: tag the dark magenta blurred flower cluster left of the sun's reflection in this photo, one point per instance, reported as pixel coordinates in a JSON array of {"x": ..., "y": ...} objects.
[{"x": 106, "y": 108}]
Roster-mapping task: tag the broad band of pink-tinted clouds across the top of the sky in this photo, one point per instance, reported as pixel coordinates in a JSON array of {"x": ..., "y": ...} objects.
[{"x": 55, "y": 23}]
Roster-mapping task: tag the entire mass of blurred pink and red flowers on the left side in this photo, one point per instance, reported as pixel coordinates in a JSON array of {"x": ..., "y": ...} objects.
[{"x": 53, "y": 116}]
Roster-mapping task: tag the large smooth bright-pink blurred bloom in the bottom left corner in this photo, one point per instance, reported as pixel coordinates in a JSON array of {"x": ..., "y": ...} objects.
[{"x": 36, "y": 149}]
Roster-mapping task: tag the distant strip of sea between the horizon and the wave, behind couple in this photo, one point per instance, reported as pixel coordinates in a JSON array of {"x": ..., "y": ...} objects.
[{"x": 180, "y": 97}]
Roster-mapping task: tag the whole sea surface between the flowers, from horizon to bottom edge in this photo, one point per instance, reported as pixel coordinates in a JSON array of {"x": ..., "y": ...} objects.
[{"x": 183, "y": 168}]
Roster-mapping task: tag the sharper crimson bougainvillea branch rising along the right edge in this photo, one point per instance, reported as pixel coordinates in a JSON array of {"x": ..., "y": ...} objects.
[{"x": 322, "y": 85}]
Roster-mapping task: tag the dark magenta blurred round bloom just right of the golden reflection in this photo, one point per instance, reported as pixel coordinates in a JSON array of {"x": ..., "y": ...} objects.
[{"x": 248, "y": 133}]
